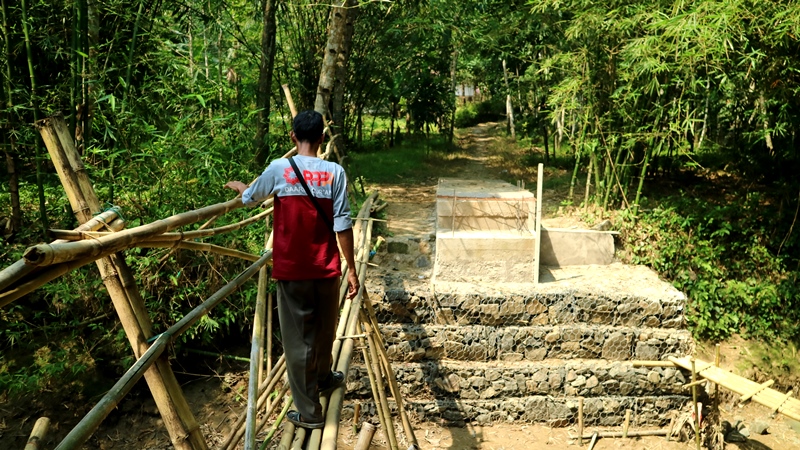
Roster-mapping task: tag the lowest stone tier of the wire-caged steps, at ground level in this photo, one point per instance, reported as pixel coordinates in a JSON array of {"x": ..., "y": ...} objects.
[{"x": 557, "y": 412}]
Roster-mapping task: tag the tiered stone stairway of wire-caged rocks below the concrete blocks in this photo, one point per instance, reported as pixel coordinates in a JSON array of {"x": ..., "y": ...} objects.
[{"x": 468, "y": 346}]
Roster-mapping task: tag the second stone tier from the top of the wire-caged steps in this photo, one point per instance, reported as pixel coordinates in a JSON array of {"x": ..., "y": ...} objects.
[{"x": 414, "y": 342}]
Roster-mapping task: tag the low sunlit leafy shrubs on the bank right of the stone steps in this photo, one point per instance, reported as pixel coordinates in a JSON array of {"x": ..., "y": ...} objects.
[{"x": 722, "y": 258}]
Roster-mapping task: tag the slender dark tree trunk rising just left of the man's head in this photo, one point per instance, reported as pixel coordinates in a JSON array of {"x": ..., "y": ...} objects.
[{"x": 265, "y": 82}]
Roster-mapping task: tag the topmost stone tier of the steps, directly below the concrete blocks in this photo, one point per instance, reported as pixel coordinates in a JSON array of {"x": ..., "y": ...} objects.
[{"x": 403, "y": 301}]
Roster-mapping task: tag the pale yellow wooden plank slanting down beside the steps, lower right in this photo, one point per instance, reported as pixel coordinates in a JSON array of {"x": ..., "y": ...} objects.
[{"x": 775, "y": 400}]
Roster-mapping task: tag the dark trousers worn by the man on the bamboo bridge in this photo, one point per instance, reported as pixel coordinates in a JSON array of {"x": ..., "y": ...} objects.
[{"x": 308, "y": 311}]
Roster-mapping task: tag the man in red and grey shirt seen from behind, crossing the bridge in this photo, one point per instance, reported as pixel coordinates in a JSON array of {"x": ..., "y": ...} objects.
[{"x": 311, "y": 212}]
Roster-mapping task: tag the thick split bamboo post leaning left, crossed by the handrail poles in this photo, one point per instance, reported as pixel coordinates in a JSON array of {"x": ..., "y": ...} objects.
[{"x": 183, "y": 429}]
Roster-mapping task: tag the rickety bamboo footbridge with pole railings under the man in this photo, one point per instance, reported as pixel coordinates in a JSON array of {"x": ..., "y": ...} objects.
[{"x": 101, "y": 238}]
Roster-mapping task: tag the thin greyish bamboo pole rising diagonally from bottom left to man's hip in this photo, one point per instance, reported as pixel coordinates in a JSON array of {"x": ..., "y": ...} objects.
[{"x": 92, "y": 420}]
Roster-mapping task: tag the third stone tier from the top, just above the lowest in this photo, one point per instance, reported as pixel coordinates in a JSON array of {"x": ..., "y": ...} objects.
[{"x": 482, "y": 380}]
